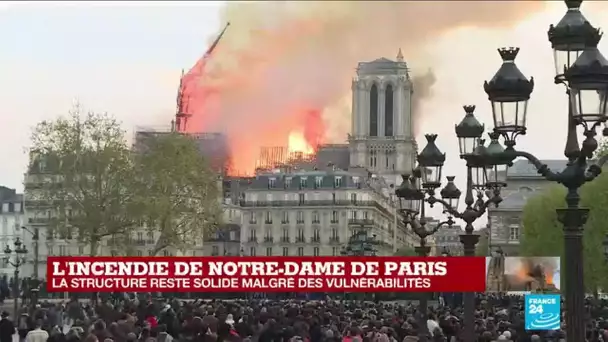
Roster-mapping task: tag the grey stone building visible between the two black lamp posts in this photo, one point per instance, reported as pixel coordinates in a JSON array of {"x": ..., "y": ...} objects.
[{"x": 504, "y": 222}]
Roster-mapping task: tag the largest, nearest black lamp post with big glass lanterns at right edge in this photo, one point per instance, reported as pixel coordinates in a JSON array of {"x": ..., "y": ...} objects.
[{"x": 584, "y": 71}]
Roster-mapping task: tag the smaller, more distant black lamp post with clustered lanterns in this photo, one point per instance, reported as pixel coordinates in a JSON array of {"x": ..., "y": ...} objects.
[{"x": 484, "y": 177}]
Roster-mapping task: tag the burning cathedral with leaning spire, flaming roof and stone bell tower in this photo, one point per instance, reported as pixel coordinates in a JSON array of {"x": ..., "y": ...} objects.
[{"x": 381, "y": 138}]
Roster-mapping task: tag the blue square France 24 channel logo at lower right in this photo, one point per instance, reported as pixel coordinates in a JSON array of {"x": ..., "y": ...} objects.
[{"x": 543, "y": 311}]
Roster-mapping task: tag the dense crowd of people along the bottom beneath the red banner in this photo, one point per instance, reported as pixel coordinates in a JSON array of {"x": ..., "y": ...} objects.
[{"x": 148, "y": 319}]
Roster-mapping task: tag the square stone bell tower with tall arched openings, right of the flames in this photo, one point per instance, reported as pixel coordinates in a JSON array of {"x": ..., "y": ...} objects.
[{"x": 382, "y": 137}]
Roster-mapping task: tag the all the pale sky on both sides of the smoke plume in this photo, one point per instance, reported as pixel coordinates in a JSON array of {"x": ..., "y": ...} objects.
[{"x": 125, "y": 58}]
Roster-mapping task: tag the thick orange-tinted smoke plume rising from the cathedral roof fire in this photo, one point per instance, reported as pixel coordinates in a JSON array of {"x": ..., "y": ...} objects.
[{"x": 287, "y": 66}]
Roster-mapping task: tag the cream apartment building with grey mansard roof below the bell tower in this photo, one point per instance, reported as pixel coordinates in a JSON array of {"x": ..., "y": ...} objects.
[{"x": 298, "y": 212}]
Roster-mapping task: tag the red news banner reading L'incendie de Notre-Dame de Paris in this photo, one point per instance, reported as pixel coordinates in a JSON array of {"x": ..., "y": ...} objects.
[{"x": 266, "y": 274}]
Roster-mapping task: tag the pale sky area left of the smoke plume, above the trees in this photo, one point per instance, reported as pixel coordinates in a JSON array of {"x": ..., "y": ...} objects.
[{"x": 122, "y": 58}]
